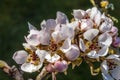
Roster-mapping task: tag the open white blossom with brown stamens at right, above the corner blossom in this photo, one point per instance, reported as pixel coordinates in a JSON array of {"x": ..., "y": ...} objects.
[{"x": 97, "y": 49}]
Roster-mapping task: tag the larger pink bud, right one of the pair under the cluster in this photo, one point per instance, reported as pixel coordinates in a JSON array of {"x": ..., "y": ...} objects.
[{"x": 61, "y": 66}]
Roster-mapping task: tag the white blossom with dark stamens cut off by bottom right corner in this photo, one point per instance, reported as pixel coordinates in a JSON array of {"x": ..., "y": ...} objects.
[{"x": 111, "y": 67}]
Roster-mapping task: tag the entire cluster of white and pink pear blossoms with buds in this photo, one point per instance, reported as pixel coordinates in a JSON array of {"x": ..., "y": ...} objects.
[{"x": 90, "y": 36}]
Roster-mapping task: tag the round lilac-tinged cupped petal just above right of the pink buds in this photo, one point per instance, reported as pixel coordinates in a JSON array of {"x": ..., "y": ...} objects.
[{"x": 73, "y": 53}]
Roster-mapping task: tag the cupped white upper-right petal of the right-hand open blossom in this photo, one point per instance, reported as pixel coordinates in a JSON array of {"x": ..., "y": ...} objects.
[{"x": 104, "y": 39}]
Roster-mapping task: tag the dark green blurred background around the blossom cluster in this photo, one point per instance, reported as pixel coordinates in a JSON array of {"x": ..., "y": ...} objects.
[{"x": 14, "y": 15}]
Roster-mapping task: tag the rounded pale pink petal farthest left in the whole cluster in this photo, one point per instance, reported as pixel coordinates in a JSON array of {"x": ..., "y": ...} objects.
[{"x": 20, "y": 56}]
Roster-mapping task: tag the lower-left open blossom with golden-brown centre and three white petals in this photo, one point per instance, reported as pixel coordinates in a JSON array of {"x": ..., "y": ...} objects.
[{"x": 30, "y": 62}]
